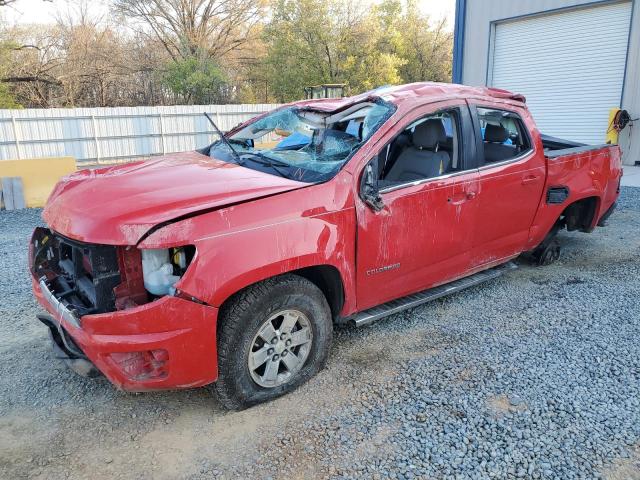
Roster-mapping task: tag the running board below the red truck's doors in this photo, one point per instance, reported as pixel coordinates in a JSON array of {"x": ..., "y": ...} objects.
[{"x": 410, "y": 301}]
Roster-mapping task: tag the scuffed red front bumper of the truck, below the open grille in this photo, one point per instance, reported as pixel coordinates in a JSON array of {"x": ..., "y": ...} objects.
[{"x": 166, "y": 344}]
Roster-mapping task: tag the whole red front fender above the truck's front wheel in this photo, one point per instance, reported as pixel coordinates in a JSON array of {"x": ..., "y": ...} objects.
[{"x": 245, "y": 250}]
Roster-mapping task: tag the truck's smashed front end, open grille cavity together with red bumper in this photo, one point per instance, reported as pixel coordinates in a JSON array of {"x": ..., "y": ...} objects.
[{"x": 102, "y": 316}]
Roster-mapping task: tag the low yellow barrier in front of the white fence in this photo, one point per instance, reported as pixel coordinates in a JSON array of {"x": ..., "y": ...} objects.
[{"x": 39, "y": 175}]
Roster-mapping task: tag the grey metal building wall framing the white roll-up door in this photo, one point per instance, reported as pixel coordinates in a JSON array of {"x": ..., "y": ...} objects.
[{"x": 481, "y": 18}]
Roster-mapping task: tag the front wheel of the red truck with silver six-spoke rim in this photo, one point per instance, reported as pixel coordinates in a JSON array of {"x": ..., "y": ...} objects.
[{"x": 272, "y": 337}]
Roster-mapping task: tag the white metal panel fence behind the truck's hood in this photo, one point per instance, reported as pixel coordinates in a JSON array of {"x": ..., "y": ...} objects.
[{"x": 107, "y": 135}]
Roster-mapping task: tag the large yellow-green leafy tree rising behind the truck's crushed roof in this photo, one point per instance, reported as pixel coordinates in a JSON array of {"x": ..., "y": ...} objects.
[{"x": 311, "y": 42}]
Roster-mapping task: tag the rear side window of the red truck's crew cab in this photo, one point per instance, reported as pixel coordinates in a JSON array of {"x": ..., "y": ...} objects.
[{"x": 503, "y": 135}]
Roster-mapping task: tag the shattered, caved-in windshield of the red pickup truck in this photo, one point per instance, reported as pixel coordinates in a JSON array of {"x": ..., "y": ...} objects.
[{"x": 303, "y": 144}]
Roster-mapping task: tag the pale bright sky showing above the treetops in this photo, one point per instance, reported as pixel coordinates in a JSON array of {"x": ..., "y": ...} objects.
[{"x": 39, "y": 11}]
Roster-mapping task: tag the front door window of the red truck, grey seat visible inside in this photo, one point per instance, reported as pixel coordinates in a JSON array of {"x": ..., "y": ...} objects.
[{"x": 427, "y": 148}]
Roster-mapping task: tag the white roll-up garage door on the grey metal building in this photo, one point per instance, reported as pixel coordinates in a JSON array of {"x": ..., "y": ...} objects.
[{"x": 570, "y": 65}]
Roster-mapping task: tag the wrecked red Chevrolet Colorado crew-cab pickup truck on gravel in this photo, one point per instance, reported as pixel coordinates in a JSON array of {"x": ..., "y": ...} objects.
[{"x": 231, "y": 264}]
